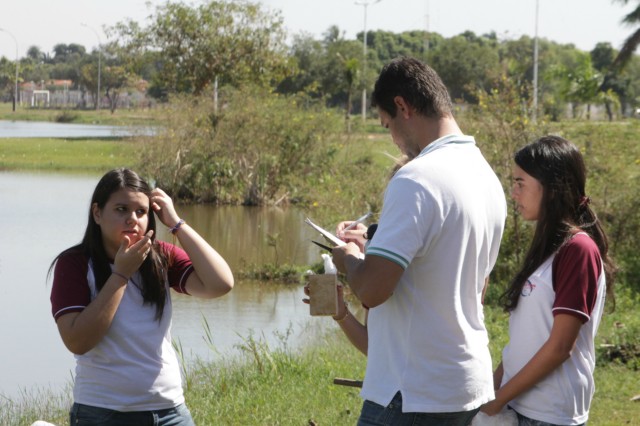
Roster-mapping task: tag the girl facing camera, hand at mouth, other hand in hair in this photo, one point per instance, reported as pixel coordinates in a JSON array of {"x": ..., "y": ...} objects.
[{"x": 110, "y": 299}]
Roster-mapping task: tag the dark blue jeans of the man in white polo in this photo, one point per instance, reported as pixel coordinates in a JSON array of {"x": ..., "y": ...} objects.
[{"x": 373, "y": 414}]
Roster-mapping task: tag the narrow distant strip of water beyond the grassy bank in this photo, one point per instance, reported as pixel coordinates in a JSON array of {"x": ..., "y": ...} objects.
[{"x": 34, "y": 129}]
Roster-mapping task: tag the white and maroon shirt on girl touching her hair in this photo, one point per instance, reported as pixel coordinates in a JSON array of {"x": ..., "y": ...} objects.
[{"x": 134, "y": 367}]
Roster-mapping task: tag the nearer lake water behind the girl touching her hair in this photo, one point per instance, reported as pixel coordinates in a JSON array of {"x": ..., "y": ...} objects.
[{"x": 42, "y": 214}]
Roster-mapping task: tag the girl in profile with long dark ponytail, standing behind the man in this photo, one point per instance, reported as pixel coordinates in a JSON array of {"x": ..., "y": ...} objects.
[{"x": 556, "y": 299}]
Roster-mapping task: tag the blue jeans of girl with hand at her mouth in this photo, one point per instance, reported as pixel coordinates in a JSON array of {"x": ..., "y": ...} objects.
[{"x": 86, "y": 415}]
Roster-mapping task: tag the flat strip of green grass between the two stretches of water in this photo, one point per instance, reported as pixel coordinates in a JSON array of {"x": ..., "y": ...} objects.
[{"x": 69, "y": 155}]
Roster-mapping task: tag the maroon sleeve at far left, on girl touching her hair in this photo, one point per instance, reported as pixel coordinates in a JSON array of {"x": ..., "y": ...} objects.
[{"x": 70, "y": 290}]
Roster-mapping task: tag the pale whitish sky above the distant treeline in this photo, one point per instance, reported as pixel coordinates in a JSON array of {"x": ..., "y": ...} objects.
[{"x": 45, "y": 23}]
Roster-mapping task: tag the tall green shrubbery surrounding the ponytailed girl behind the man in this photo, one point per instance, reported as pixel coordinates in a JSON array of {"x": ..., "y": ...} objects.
[{"x": 612, "y": 156}]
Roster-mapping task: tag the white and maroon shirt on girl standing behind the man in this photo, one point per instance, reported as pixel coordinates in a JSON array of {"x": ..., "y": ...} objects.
[{"x": 572, "y": 282}]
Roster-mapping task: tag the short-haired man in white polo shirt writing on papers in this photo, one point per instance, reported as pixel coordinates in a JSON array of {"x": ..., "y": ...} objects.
[{"x": 427, "y": 265}]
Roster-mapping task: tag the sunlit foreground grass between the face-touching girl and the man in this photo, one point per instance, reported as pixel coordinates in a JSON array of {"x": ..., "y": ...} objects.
[{"x": 279, "y": 387}]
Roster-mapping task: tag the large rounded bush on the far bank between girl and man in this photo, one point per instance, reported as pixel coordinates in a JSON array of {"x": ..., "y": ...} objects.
[{"x": 261, "y": 148}]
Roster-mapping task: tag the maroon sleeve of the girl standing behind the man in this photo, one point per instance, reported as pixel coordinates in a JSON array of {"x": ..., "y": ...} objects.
[{"x": 576, "y": 270}]
